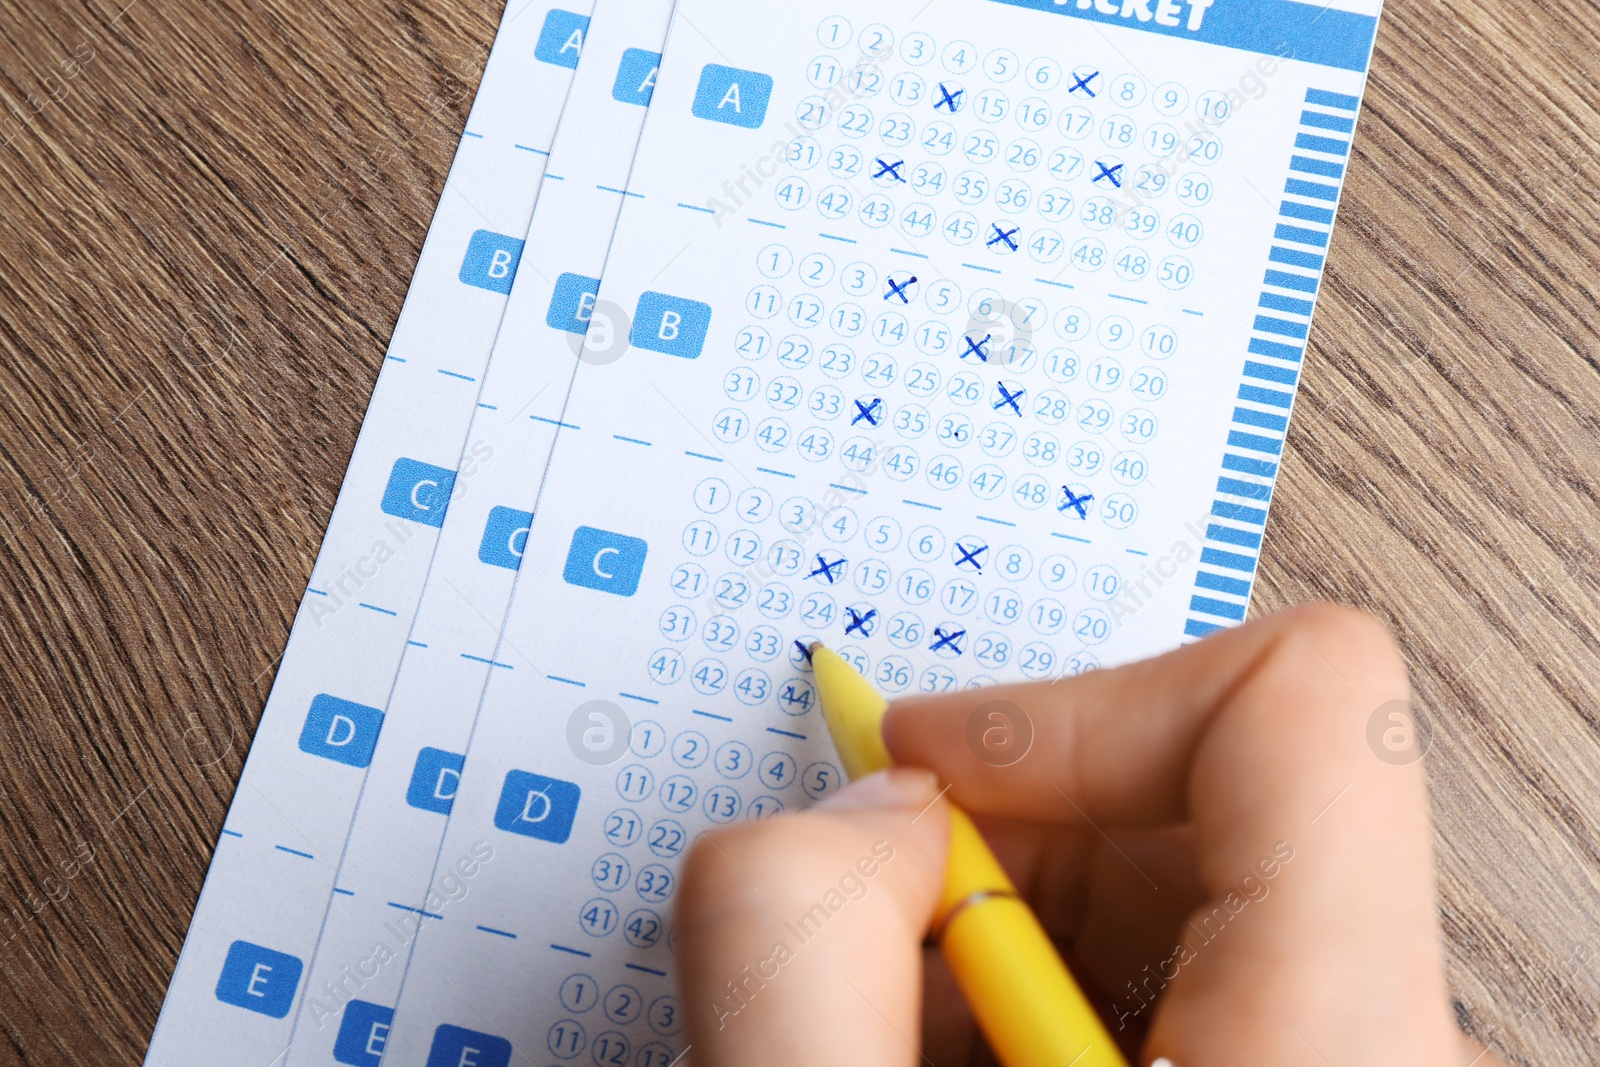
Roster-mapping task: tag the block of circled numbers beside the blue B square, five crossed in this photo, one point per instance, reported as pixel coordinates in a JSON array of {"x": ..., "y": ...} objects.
[{"x": 881, "y": 385}]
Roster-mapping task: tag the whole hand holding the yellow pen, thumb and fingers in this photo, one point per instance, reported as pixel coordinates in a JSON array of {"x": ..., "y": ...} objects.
[{"x": 1228, "y": 868}]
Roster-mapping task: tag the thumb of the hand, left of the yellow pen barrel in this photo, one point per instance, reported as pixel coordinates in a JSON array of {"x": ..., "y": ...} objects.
[{"x": 802, "y": 937}]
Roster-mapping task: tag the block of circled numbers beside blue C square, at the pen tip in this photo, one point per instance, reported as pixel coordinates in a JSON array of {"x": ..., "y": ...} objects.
[{"x": 762, "y": 578}]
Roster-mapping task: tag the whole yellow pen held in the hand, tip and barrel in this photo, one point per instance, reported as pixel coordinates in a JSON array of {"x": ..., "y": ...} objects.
[{"x": 1010, "y": 973}]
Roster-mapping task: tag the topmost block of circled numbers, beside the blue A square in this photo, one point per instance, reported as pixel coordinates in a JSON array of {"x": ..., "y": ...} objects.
[{"x": 934, "y": 158}]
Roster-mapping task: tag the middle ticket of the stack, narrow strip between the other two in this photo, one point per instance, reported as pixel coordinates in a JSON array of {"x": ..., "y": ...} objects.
[{"x": 385, "y": 889}]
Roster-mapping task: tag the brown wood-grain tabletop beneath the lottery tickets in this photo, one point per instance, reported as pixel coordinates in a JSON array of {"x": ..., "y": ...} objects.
[{"x": 199, "y": 273}]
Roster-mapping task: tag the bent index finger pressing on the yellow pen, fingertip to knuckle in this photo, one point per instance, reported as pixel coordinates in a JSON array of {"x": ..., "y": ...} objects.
[{"x": 1274, "y": 711}]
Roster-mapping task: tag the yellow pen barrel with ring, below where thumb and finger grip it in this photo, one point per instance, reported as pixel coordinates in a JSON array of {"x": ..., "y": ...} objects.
[{"x": 1010, "y": 973}]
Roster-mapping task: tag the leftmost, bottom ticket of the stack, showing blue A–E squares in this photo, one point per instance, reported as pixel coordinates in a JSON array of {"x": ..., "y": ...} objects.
[{"x": 239, "y": 978}]
